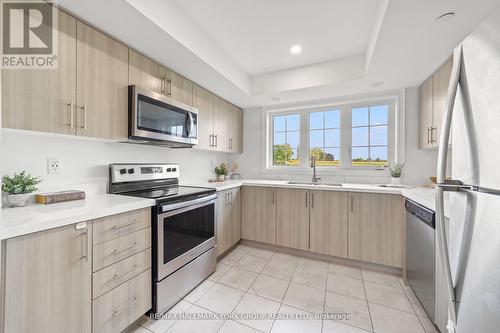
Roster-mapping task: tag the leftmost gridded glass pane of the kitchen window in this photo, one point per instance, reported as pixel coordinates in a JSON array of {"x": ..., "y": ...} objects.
[{"x": 286, "y": 140}]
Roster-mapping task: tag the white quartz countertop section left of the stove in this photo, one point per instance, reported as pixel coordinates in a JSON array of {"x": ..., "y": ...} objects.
[{"x": 25, "y": 220}]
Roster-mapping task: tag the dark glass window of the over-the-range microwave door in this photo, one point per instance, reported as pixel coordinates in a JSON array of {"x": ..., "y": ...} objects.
[{"x": 155, "y": 116}]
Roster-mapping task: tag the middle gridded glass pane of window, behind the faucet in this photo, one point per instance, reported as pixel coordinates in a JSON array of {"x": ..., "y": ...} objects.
[{"x": 324, "y": 137}]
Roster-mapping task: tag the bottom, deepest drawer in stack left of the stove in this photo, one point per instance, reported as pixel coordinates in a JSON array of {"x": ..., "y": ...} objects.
[{"x": 117, "y": 309}]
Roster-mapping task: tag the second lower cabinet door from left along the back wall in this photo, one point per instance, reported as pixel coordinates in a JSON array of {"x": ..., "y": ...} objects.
[{"x": 292, "y": 226}]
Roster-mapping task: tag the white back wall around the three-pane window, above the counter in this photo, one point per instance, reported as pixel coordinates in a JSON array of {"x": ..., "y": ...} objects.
[{"x": 419, "y": 164}]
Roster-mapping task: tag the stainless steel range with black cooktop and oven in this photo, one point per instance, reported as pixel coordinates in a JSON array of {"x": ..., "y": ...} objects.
[{"x": 183, "y": 227}]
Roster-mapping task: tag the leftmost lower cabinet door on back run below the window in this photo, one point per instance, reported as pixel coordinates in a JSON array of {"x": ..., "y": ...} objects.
[{"x": 258, "y": 214}]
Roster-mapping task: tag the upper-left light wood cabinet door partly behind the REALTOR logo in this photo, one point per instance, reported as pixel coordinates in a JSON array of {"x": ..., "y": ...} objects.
[{"x": 44, "y": 100}]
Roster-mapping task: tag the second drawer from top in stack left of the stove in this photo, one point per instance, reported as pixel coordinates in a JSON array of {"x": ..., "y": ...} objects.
[{"x": 112, "y": 251}]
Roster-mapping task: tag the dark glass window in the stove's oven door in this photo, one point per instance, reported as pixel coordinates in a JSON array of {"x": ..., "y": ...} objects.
[{"x": 183, "y": 232}]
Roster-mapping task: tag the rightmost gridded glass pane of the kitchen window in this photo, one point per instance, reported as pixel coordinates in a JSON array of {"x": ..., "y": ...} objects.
[{"x": 364, "y": 153}]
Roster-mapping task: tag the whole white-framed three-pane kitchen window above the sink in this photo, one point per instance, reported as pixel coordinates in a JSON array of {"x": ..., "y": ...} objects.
[{"x": 353, "y": 136}]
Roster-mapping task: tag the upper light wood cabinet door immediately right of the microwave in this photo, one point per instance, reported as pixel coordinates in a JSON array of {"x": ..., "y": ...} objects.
[{"x": 204, "y": 101}]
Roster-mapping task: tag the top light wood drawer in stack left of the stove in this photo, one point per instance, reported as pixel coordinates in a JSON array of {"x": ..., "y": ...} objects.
[{"x": 114, "y": 226}]
